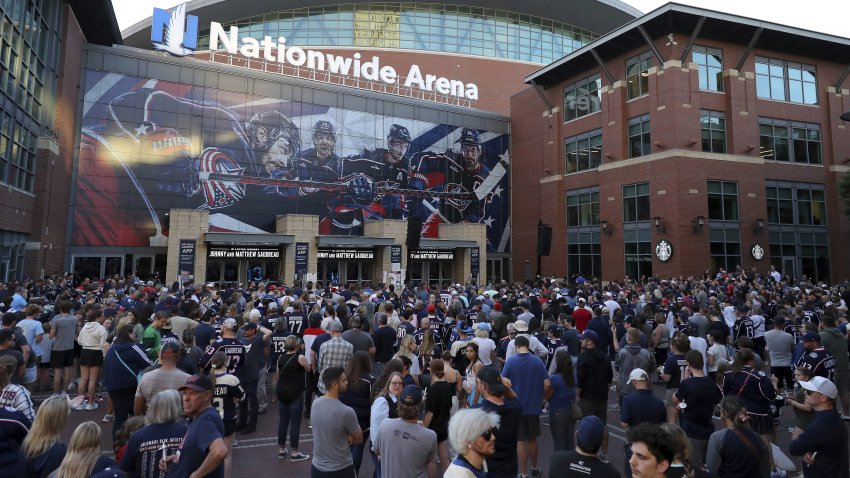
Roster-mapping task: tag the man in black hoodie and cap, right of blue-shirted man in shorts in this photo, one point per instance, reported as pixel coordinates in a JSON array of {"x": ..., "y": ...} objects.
[{"x": 594, "y": 377}]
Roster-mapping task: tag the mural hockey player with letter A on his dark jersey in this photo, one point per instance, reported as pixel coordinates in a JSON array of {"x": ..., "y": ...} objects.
[{"x": 369, "y": 175}]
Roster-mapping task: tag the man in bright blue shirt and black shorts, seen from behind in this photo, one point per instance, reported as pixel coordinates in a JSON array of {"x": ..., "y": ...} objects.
[{"x": 529, "y": 380}]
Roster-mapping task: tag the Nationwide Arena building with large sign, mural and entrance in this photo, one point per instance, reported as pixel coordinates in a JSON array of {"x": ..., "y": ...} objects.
[{"x": 229, "y": 141}]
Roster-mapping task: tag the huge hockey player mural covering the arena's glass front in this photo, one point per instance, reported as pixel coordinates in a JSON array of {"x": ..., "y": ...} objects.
[{"x": 150, "y": 146}]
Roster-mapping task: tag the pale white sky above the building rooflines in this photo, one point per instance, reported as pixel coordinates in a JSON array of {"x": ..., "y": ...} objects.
[{"x": 825, "y": 16}]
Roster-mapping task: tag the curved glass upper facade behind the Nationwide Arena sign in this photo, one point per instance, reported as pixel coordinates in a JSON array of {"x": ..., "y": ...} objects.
[{"x": 419, "y": 26}]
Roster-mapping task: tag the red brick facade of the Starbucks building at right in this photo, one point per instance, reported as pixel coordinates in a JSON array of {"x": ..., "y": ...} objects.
[{"x": 676, "y": 169}]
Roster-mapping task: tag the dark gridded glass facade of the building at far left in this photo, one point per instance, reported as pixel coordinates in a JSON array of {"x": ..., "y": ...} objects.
[{"x": 29, "y": 57}]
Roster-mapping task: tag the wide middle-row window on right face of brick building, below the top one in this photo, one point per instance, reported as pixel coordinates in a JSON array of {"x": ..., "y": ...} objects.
[{"x": 782, "y": 140}]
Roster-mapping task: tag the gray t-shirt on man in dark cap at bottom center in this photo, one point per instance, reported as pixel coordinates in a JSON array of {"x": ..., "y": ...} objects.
[{"x": 405, "y": 448}]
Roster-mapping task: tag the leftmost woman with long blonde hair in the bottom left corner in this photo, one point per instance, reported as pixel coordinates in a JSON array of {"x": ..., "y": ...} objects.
[{"x": 43, "y": 447}]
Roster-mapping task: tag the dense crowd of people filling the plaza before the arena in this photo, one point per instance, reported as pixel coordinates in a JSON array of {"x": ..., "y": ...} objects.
[{"x": 426, "y": 381}]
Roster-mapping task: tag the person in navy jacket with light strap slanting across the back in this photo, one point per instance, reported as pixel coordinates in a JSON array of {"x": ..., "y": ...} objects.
[{"x": 122, "y": 365}]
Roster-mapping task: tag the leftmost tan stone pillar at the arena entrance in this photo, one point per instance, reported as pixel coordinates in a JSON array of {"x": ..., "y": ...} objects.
[{"x": 187, "y": 224}]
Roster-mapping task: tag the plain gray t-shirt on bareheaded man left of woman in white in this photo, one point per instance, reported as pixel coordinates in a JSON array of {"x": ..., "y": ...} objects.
[{"x": 332, "y": 423}]
